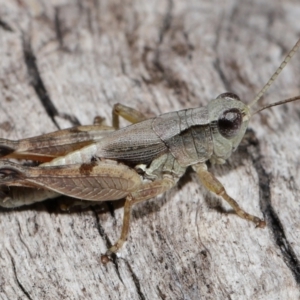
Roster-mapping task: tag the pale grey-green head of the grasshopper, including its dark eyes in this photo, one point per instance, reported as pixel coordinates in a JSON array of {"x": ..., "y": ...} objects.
[{"x": 229, "y": 118}]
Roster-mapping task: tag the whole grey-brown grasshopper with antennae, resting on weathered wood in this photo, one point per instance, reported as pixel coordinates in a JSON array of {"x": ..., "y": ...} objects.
[{"x": 137, "y": 162}]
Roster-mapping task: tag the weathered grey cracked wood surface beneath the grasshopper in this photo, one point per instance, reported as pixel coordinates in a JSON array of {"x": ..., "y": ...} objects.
[{"x": 72, "y": 60}]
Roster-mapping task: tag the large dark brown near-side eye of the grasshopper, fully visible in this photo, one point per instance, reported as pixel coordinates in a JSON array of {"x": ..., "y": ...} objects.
[{"x": 230, "y": 122}]
